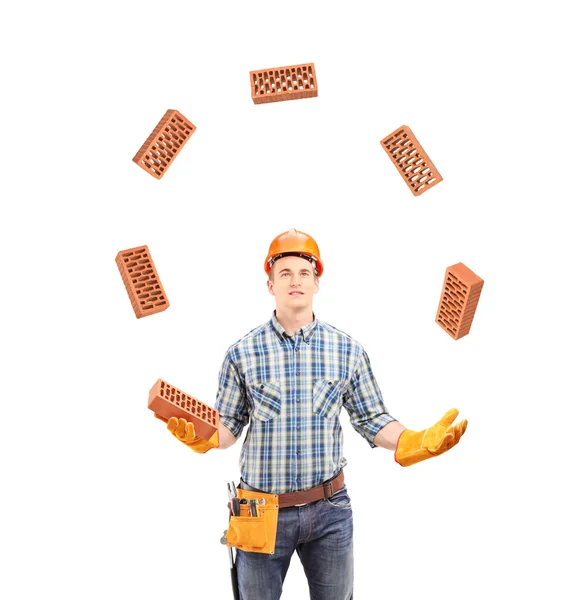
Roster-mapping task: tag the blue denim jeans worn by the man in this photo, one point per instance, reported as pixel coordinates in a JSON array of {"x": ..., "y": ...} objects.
[{"x": 322, "y": 534}]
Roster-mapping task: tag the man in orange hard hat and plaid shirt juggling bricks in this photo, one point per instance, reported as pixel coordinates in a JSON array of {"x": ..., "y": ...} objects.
[{"x": 289, "y": 379}]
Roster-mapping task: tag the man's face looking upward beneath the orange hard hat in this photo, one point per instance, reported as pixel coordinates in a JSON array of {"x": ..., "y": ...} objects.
[{"x": 294, "y": 283}]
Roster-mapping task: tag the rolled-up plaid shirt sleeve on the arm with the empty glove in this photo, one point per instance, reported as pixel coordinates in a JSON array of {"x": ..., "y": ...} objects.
[{"x": 364, "y": 402}]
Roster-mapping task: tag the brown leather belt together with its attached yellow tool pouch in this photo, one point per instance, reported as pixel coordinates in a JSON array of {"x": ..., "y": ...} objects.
[{"x": 258, "y": 533}]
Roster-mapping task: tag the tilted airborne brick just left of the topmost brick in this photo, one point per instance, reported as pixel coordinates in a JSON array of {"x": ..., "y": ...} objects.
[{"x": 164, "y": 143}]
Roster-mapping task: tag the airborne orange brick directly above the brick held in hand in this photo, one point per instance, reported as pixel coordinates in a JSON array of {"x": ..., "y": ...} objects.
[{"x": 142, "y": 282}]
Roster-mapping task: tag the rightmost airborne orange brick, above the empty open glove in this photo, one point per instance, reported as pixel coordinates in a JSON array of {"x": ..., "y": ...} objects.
[{"x": 458, "y": 303}]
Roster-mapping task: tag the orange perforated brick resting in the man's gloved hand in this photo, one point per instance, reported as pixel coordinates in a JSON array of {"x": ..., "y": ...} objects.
[{"x": 167, "y": 401}]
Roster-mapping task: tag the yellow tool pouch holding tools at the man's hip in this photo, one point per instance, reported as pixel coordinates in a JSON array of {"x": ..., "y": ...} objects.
[{"x": 254, "y": 534}]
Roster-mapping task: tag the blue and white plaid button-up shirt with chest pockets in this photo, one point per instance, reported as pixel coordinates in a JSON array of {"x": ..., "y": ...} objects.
[{"x": 290, "y": 389}]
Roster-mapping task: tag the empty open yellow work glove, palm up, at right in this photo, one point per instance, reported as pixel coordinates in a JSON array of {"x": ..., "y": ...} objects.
[{"x": 415, "y": 446}]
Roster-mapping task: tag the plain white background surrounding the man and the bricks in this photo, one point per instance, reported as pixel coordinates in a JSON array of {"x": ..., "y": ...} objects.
[{"x": 99, "y": 500}]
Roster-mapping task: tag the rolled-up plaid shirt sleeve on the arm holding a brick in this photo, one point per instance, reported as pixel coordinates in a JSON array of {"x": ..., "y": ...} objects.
[{"x": 231, "y": 403}]
